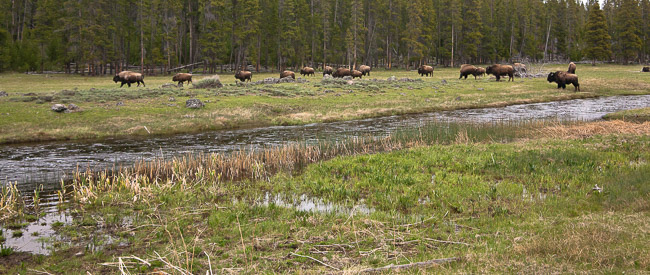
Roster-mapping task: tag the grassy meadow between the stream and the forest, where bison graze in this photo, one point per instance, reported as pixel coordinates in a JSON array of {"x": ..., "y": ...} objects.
[{"x": 108, "y": 111}]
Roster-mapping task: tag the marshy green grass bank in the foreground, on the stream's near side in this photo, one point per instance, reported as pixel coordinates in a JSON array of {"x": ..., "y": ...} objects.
[{"x": 493, "y": 199}]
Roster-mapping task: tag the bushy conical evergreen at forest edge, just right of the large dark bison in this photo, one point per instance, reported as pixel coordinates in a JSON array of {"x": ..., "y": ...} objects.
[{"x": 598, "y": 39}]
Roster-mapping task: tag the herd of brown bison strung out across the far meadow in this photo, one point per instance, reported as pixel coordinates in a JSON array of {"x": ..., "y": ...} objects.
[{"x": 560, "y": 77}]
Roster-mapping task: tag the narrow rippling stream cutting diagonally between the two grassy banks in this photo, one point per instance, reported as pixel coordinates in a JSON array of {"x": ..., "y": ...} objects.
[{"x": 43, "y": 165}]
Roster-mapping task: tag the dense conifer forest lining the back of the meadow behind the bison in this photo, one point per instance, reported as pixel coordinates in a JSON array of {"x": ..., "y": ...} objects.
[{"x": 103, "y": 36}]
